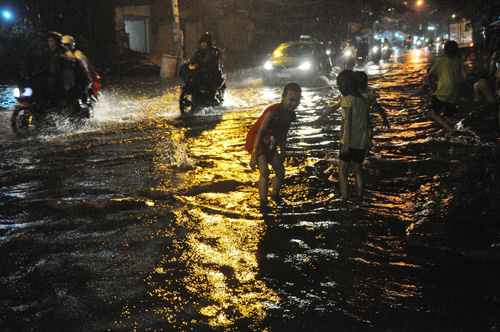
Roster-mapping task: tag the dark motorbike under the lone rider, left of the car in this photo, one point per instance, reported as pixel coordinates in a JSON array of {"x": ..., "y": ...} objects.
[{"x": 199, "y": 90}]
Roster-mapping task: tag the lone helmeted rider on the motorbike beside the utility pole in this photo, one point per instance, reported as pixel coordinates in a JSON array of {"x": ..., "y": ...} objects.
[{"x": 207, "y": 62}]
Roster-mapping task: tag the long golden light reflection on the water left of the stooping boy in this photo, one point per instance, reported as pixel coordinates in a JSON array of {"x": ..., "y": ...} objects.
[{"x": 214, "y": 250}]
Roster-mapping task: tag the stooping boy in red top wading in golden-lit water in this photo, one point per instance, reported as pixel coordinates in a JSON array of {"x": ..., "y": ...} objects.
[{"x": 269, "y": 133}]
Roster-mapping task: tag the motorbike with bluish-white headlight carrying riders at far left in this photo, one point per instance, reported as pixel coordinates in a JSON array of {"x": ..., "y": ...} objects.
[{"x": 34, "y": 110}]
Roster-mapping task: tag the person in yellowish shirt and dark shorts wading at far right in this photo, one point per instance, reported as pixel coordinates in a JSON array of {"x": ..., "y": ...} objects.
[{"x": 450, "y": 73}]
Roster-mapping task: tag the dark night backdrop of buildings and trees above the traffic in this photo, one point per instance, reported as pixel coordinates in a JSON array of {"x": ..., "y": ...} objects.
[{"x": 270, "y": 22}]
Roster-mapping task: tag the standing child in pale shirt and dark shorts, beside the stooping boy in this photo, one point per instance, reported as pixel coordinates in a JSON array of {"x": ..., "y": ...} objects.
[{"x": 354, "y": 133}]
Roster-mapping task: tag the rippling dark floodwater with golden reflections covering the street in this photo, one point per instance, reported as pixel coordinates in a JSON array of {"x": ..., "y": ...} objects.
[{"x": 145, "y": 220}]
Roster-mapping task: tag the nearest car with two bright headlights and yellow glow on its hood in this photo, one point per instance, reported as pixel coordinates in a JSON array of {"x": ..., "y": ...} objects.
[{"x": 304, "y": 61}]
